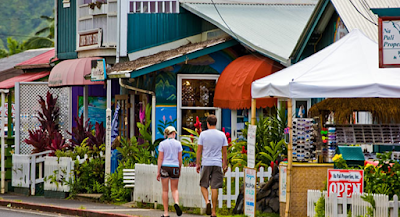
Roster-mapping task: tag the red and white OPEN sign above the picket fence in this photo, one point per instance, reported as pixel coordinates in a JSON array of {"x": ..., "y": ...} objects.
[{"x": 345, "y": 182}]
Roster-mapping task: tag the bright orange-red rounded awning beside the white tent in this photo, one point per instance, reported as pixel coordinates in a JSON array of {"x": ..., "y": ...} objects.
[{"x": 233, "y": 90}]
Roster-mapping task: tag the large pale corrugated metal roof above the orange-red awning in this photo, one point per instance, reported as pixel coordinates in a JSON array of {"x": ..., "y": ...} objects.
[{"x": 272, "y": 30}]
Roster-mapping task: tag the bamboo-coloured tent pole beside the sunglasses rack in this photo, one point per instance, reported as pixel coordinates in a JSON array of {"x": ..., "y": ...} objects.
[{"x": 290, "y": 159}]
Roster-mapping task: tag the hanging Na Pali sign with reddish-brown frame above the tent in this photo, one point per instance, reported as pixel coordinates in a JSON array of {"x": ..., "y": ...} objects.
[{"x": 389, "y": 42}]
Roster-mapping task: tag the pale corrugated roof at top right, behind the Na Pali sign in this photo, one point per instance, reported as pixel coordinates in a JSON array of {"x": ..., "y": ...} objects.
[{"x": 356, "y": 14}]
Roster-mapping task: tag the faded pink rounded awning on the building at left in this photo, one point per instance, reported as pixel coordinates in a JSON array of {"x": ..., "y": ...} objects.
[{"x": 72, "y": 72}]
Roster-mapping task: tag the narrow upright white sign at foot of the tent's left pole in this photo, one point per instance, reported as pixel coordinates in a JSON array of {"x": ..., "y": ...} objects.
[{"x": 250, "y": 179}]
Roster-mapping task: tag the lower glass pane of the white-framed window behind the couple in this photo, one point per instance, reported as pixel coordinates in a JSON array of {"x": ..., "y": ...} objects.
[{"x": 189, "y": 118}]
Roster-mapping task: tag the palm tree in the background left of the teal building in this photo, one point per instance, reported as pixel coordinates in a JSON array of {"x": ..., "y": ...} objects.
[{"x": 40, "y": 41}]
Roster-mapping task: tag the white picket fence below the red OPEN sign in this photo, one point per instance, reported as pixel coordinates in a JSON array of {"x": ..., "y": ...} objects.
[{"x": 335, "y": 206}]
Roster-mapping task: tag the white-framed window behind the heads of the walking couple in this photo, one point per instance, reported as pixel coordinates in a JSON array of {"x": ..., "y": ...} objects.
[{"x": 195, "y": 99}]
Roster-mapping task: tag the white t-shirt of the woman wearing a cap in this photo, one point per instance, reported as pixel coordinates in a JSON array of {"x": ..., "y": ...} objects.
[{"x": 171, "y": 149}]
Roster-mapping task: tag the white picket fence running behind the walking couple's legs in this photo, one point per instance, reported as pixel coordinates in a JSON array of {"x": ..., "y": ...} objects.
[{"x": 148, "y": 189}]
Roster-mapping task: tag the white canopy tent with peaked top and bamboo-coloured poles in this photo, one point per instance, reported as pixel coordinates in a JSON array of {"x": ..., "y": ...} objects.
[{"x": 348, "y": 68}]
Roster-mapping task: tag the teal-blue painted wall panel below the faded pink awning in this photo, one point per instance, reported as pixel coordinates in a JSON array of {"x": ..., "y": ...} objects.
[{"x": 97, "y": 106}]
